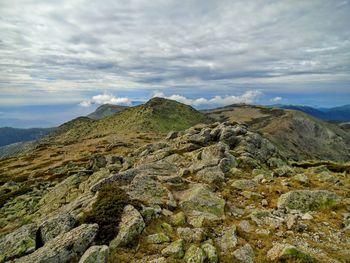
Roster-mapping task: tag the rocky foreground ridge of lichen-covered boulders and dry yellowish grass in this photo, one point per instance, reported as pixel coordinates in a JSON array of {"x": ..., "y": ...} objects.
[{"x": 213, "y": 193}]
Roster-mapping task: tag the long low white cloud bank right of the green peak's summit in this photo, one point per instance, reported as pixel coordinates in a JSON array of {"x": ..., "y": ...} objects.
[{"x": 248, "y": 97}]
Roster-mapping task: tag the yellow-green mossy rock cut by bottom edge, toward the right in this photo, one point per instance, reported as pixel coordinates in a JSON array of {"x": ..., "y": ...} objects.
[{"x": 283, "y": 252}]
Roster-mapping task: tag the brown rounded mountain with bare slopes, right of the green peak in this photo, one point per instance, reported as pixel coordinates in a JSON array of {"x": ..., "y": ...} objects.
[{"x": 299, "y": 135}]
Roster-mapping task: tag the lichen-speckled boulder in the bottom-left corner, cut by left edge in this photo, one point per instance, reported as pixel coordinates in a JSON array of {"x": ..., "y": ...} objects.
[{"x": 18, "y": 243}]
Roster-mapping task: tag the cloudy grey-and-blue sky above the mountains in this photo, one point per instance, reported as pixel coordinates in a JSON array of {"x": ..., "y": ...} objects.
[{"x": 70, "y": 56}]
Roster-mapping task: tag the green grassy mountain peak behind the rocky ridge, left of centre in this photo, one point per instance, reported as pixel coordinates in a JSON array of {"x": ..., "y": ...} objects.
[{"x": 157, "y": 115}]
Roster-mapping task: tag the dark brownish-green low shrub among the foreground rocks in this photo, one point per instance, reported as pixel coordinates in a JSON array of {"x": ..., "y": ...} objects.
[{"x": 107, "y": 212}]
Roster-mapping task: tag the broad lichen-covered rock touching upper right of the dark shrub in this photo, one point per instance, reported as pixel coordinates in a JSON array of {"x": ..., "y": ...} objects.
[{"x": 151, "y": 192}]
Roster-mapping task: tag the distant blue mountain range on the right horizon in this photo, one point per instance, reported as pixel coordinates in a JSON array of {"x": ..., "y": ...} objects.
[{"x": 336, "y": 114}]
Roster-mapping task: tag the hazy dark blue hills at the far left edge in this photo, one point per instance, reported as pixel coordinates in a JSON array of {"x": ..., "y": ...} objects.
[{"x": 13, "y": 135}]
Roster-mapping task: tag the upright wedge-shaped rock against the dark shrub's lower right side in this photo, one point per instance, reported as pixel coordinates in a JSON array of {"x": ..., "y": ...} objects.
[{"x": 130, "y": 227}]
